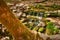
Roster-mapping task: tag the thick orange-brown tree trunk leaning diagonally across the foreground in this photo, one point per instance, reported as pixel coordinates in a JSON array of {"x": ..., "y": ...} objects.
[{"x": 14, "y": 26}]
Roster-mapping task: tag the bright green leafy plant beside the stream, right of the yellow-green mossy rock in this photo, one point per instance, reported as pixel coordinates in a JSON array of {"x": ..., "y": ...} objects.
[{"x": 51, "y": 27}]
